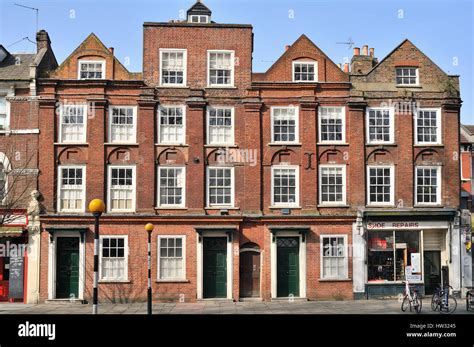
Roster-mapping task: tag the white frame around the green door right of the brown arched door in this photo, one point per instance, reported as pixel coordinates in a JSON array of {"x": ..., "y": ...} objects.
[{"x": 302, "y": 261}]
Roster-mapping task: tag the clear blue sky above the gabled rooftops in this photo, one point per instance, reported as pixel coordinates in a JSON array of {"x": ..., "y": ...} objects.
[{"x": 444, "y": 30}]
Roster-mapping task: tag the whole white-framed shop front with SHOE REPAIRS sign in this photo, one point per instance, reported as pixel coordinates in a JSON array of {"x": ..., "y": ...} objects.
[{"x": 420, "y": 249}]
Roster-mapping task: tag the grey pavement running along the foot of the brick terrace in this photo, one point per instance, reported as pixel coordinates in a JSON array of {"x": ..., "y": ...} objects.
[{"x": 226, "y": 307}]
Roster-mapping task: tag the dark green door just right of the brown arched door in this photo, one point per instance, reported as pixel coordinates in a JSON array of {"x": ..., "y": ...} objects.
[{"x": 288, "y": 279}]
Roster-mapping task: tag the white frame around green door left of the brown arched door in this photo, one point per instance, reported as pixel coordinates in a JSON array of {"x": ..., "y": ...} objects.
[{"x": 199, "y": 257}]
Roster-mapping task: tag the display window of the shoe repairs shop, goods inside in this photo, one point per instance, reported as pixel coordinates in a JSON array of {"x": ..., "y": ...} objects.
[{"x": 394, "y": 256}]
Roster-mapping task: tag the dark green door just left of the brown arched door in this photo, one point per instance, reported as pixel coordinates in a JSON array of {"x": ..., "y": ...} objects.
[{"x": 215, "y": 267}]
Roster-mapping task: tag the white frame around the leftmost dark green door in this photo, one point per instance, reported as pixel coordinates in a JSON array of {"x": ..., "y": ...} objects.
[{"x": 52, "y": 263}]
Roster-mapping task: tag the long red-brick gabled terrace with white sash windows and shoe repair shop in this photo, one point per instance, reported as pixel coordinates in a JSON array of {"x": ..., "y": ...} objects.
[{"x": 304, "y": 181}]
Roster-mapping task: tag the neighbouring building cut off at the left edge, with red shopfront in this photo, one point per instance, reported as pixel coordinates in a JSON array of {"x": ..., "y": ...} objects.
[{"x": 19, "y": 129}]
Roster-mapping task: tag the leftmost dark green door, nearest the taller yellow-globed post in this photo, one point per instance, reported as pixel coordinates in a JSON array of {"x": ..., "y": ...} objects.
[{"x": 67, "y": 267}]
